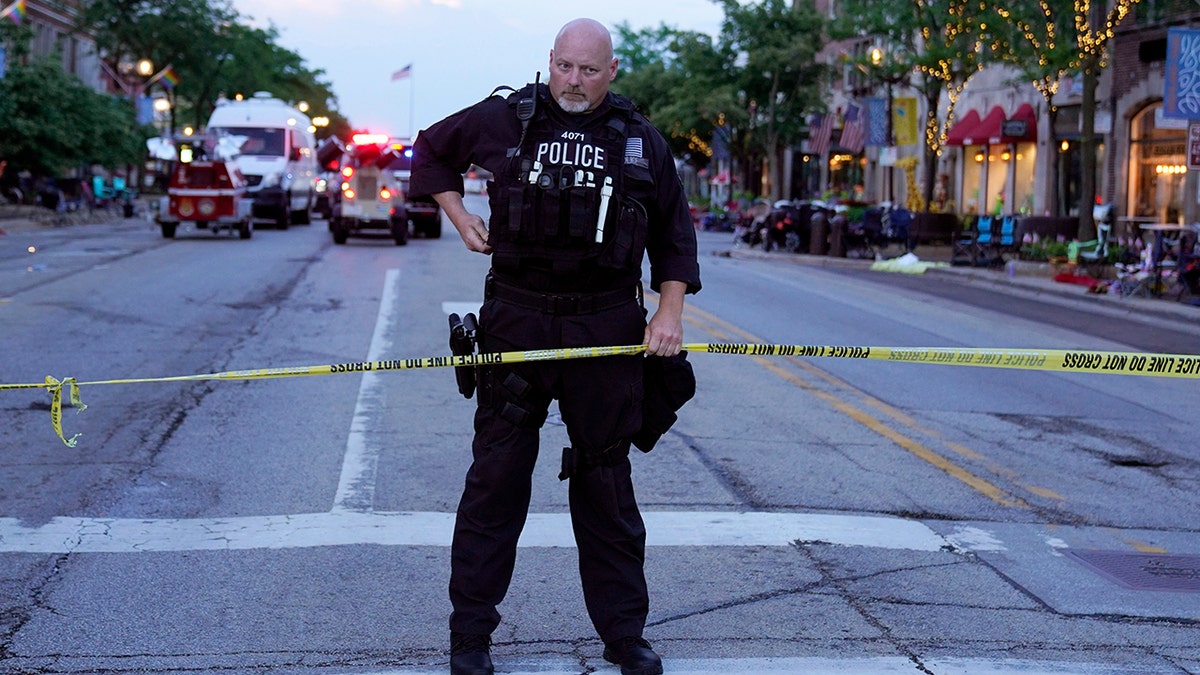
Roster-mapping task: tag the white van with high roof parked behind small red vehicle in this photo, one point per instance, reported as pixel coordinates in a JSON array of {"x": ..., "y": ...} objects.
[{"x": 275, "y": 153}]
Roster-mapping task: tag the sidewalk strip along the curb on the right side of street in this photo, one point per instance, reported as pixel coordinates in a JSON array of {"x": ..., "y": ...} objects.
[{"x": 1028, "y": 279}]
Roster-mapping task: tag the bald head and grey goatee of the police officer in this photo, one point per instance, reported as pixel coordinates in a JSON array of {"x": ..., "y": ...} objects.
[{"x": 581, "y": 65}]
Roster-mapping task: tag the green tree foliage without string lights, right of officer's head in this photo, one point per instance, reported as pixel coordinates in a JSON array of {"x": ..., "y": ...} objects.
[{"x": 754, "y": 87}]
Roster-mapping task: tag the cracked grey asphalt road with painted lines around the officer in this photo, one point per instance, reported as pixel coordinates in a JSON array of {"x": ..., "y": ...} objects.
[{"x": 806, "y": 516}]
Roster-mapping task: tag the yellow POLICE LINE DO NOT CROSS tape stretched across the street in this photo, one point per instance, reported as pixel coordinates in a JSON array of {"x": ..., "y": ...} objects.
[{"x": 1060, "y": 361}]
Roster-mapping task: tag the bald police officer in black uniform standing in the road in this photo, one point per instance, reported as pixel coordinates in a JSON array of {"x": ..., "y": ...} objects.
[{"x": 584, "y": 189}]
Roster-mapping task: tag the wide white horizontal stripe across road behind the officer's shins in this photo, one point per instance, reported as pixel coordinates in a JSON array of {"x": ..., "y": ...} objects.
[{"x": 67, "y": 535}]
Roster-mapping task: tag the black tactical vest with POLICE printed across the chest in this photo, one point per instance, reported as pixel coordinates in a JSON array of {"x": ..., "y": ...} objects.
[{"x": 563, "y": 205}]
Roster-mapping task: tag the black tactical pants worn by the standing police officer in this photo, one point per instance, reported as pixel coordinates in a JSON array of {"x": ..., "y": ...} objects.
[{"x": 601, "y": 401}]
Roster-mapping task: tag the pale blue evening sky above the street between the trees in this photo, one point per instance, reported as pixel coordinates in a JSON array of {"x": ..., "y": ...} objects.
[{"x": 459, "y": 50}]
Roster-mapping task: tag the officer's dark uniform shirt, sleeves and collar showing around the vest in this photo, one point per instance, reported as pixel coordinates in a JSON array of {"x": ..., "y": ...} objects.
[{"x": 483, "y": 134}]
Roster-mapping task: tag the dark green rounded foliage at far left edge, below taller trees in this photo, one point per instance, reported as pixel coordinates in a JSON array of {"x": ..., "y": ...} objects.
[{"x": 51, "y": 122}]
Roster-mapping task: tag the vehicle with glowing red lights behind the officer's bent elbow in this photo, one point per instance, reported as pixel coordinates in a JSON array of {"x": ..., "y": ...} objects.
[{"x": 369, "y": 200}]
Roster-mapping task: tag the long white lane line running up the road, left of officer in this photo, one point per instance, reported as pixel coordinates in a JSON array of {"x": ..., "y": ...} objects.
[{"x": 356, "y": 488}]
